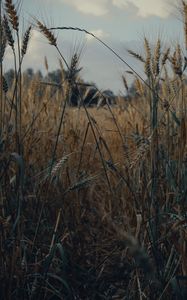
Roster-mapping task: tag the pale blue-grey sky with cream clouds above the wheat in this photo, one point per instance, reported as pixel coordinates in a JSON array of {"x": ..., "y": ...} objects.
[{"x": 120, "y": 23}]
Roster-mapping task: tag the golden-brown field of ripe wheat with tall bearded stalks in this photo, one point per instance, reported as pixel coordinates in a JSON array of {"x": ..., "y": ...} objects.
[{"x": 92, "y": 200}]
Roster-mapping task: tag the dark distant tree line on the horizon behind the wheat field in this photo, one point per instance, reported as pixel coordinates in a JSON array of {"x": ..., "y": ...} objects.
[{"x": 79, "y": 92}]
